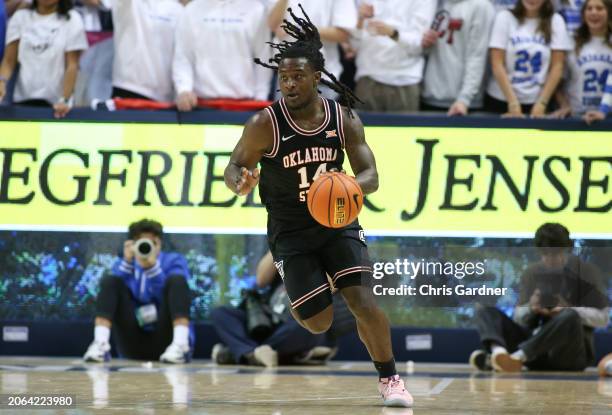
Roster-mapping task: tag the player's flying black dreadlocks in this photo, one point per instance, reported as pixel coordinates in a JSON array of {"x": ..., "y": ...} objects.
[{"x": 307, "y": 44}]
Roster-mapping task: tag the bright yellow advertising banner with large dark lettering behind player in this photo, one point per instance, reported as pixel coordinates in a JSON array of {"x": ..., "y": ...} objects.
[{"x": 433, "y": 181}]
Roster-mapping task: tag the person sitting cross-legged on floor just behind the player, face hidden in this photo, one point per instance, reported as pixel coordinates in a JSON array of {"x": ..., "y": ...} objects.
[{"x": 261, "y": 331}]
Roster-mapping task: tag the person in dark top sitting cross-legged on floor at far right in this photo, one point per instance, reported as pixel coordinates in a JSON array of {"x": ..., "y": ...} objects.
[{"x": 562, "y": 299}]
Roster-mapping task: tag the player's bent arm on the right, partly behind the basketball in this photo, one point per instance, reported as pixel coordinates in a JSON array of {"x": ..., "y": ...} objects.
[{"x": 359, "y": 153}]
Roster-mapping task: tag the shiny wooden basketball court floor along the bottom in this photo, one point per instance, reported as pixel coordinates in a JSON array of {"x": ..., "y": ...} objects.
[{"x": 345, "y": 388}]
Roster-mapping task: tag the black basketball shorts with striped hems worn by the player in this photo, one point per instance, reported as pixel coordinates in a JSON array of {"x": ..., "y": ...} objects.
[{"x": 306, "y": 259}]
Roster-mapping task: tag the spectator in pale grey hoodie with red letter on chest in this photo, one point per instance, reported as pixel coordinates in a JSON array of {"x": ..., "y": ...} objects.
[{"x": 457, "y": 56}]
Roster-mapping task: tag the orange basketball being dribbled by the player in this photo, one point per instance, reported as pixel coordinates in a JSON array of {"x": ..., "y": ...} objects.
[{"x": 335, "y": 200}]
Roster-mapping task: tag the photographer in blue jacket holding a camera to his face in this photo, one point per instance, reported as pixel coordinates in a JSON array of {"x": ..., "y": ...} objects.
[{"x": 146, "y": 300}]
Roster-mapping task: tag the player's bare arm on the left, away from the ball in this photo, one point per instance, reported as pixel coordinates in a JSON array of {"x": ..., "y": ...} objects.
[{"x": 241, "y": 174}]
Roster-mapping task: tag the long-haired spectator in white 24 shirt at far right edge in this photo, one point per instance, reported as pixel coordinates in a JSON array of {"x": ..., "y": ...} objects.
[{"x": 589, "y": 63}]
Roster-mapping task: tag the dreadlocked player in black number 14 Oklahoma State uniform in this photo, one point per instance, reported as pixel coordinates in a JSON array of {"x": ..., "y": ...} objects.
[{"x": 298, "y": 138}]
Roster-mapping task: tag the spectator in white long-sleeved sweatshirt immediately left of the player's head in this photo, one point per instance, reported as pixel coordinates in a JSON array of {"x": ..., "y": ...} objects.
[{"x": 216, "y": 44}]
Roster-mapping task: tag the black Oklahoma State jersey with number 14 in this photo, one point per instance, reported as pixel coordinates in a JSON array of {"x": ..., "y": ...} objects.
[{"x": 296, "y": 159}]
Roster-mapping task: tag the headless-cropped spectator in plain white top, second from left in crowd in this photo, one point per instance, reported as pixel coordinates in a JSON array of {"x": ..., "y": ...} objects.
[{"x": 144, "y": 41}]
